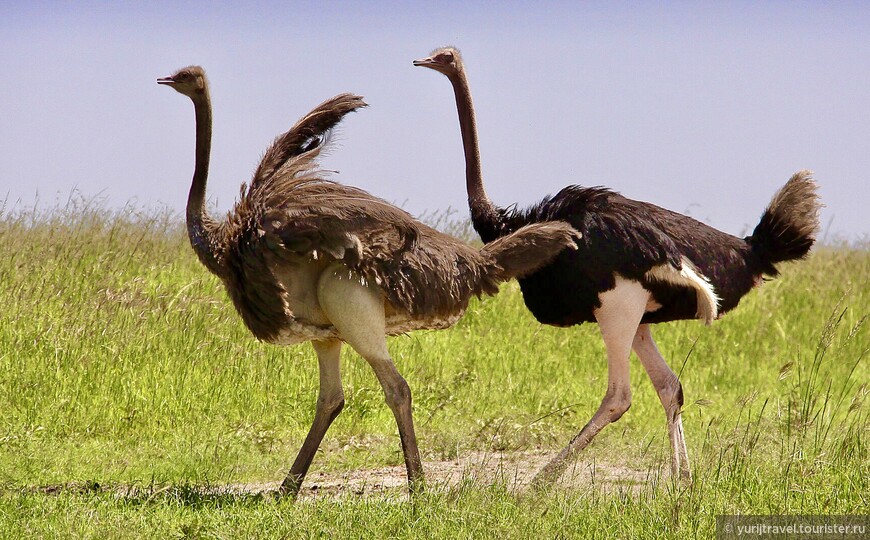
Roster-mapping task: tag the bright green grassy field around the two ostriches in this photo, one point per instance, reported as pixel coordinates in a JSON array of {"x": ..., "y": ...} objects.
[{"x": 134, "y": 404}]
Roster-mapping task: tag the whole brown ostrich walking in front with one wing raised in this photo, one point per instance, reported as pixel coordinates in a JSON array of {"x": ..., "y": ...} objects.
[{"x": 308, "y": 259}]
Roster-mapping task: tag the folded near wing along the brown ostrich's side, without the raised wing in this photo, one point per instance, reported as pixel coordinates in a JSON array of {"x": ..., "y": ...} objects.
[{"x": 419, "y": 269}]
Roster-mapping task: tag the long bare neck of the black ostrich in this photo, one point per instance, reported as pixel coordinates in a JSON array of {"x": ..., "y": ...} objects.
[{"x": 484, "y": 214}]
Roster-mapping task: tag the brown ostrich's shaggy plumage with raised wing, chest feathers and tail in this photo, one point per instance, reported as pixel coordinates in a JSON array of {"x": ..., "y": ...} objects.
[{"x": 290, "y": 212}]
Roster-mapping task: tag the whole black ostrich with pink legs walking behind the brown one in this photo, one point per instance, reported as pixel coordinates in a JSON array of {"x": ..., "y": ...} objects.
[{"x": 636, "y": 264}]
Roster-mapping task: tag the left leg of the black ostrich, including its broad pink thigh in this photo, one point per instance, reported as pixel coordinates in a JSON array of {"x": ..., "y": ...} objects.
[{"x": 618, "y": 318}]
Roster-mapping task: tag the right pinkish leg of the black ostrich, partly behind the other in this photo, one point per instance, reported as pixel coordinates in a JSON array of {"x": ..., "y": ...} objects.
[{"x": 670, "y": 393}]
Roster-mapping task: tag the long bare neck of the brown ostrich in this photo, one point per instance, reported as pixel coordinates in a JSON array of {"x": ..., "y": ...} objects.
[{"x": 201, "y": 228}]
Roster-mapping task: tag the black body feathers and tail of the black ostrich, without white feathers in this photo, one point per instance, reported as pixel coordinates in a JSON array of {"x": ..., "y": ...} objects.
[{"x": 627, "y": 237}]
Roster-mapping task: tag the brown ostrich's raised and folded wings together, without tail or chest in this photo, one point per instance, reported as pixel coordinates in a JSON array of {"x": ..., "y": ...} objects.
[{"x": 292, "y": 211}]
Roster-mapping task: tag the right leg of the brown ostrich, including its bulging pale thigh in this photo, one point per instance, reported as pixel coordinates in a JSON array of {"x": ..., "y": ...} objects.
[{"x": 357, "y": 312}]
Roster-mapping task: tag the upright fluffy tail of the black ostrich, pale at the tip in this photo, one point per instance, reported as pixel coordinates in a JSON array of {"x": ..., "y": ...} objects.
[{"x": 788, "y": 227}]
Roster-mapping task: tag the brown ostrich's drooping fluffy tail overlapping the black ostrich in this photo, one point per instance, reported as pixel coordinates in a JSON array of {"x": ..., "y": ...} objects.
[{"x": 528, "y": 249}]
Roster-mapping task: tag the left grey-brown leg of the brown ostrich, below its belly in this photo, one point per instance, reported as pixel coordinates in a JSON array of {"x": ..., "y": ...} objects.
[{"x": 330, "y": 401}]
